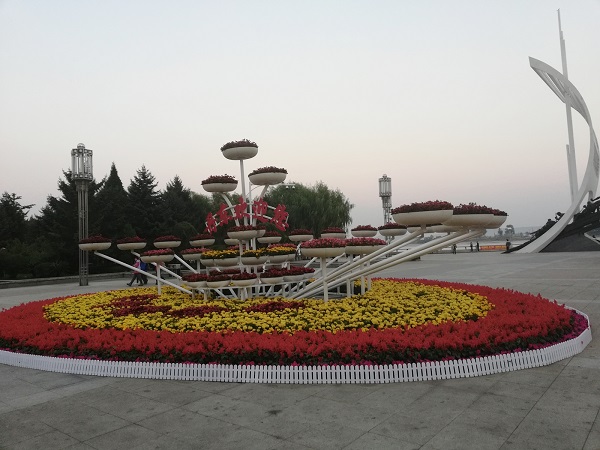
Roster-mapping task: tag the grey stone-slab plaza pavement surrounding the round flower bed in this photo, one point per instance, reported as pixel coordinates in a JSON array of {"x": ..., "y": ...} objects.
[{"x": 553, "y": 407}]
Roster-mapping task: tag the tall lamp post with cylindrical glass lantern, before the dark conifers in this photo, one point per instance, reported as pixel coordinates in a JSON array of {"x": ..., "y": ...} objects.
[{"x": 82, "y": 174}]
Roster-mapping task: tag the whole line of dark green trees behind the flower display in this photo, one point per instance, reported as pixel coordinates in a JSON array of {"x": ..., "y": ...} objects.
[{"x": 45, "y": 245}]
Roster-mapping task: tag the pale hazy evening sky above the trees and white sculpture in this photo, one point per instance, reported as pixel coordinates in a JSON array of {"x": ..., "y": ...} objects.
[{"x": 437, "y": 95}]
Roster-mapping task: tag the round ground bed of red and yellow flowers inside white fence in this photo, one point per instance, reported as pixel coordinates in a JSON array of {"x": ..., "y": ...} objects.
[{"x": 397, "y": 321}]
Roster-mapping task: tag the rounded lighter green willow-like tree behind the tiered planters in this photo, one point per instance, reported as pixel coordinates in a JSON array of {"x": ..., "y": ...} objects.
[{"x": 314, "y": 207}]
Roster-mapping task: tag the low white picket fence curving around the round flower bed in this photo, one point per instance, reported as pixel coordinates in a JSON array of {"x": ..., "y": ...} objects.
[{"x": 388, "y": 373}]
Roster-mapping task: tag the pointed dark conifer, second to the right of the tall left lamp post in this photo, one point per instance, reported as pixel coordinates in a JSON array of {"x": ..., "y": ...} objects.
[{"x": 144, "y": 204}]
